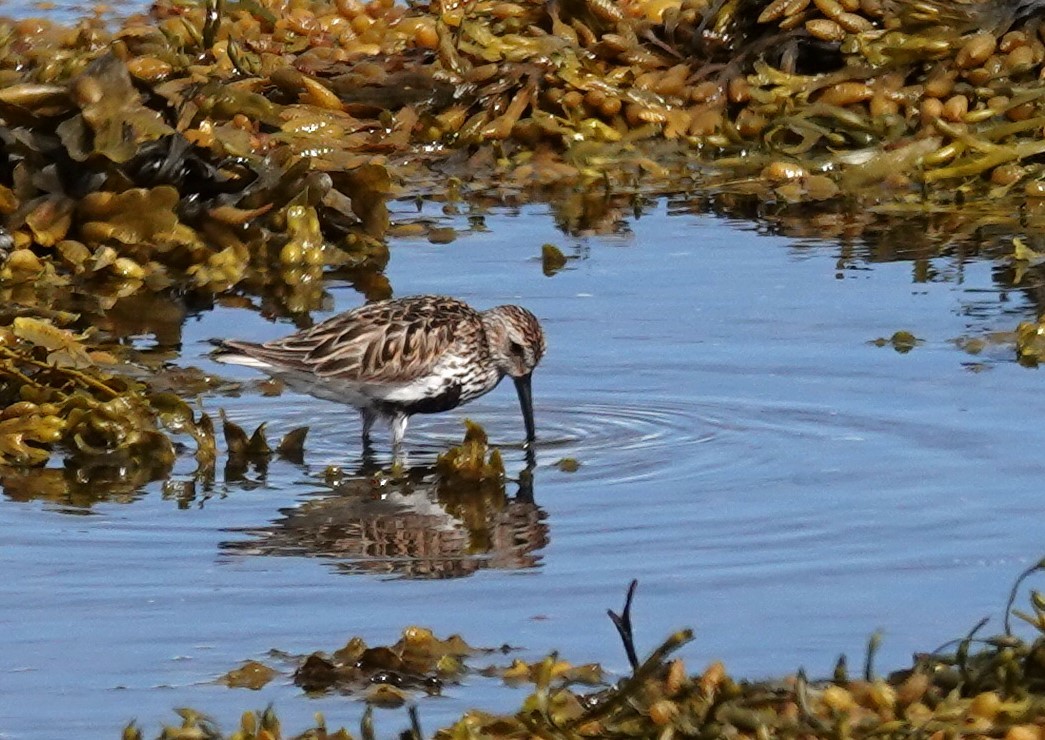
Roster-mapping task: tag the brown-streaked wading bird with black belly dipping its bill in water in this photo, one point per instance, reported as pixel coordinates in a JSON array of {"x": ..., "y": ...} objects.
[{"x": 392, "y": 359}]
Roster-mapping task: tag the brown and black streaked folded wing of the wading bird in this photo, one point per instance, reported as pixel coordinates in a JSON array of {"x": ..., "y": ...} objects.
[{"x": 381, "y": 343}]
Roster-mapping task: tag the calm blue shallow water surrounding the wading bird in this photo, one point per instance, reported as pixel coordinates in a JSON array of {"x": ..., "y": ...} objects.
[{"x": 772, "y": 478}]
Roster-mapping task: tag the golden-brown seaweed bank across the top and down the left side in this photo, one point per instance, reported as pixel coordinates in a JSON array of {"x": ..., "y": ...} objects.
[{"x": 225, "y": 151}]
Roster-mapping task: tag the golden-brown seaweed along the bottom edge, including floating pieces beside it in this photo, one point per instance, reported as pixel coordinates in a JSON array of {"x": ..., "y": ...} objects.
[{"x": 981, "y": 687}]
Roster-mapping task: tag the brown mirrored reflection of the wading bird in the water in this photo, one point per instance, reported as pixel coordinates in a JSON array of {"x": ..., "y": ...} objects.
[{"x": 420, "y": 524}]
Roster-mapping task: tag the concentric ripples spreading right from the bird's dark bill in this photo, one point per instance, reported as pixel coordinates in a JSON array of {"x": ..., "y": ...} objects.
[{"x": 700, "y": 440}]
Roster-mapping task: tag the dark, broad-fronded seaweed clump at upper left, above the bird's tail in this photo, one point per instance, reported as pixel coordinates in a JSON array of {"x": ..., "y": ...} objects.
[{"x": 157, "y": 189}]
